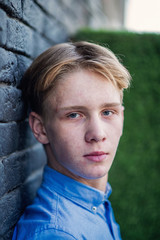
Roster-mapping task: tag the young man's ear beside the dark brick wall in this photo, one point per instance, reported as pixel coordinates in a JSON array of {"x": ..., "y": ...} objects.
[{"x": 38, "y": 129}]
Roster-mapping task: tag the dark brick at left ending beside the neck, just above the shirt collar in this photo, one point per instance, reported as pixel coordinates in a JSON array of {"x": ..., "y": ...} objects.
[{"x": 17, "y": 167}]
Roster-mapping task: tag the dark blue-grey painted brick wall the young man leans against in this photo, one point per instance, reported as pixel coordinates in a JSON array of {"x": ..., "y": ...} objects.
[{"x": 27, "y": 28}]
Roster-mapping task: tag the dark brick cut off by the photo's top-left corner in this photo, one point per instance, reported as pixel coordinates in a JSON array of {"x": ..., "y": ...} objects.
[{"x": 12, "y": 7}]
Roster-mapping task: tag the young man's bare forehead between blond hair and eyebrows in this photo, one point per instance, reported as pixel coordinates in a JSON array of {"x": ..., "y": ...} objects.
[{"x": 83, "y": 87}]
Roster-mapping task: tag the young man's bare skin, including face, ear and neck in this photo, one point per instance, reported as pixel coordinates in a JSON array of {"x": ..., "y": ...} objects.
[{"x": 83, "y": 127}]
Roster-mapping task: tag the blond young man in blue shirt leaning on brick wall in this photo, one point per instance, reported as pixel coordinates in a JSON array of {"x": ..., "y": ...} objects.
[{"x": 75, "y": 93}]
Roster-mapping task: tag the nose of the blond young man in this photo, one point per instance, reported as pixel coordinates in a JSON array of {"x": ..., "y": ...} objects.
[{"x": 95, "y": 131}]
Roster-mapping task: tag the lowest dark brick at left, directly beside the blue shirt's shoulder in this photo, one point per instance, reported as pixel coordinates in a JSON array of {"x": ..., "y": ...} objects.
[{"x": 12, "y": 204}]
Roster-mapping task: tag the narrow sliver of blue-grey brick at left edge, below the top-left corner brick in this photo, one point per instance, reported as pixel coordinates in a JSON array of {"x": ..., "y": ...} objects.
[{"x": 3, "y": 27}]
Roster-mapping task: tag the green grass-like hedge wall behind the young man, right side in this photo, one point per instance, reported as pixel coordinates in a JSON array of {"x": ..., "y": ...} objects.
[{"x": 135, "y": 173}]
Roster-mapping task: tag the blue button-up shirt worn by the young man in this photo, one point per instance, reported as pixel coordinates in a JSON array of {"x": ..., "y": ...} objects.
[{"x": 67, "y": 209}]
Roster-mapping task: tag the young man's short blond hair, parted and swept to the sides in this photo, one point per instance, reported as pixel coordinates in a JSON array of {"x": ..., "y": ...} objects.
[{"x": 62, "y": 59}]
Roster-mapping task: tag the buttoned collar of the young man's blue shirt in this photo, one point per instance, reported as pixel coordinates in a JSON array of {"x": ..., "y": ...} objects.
[{"x": 80, "y": 193}]
